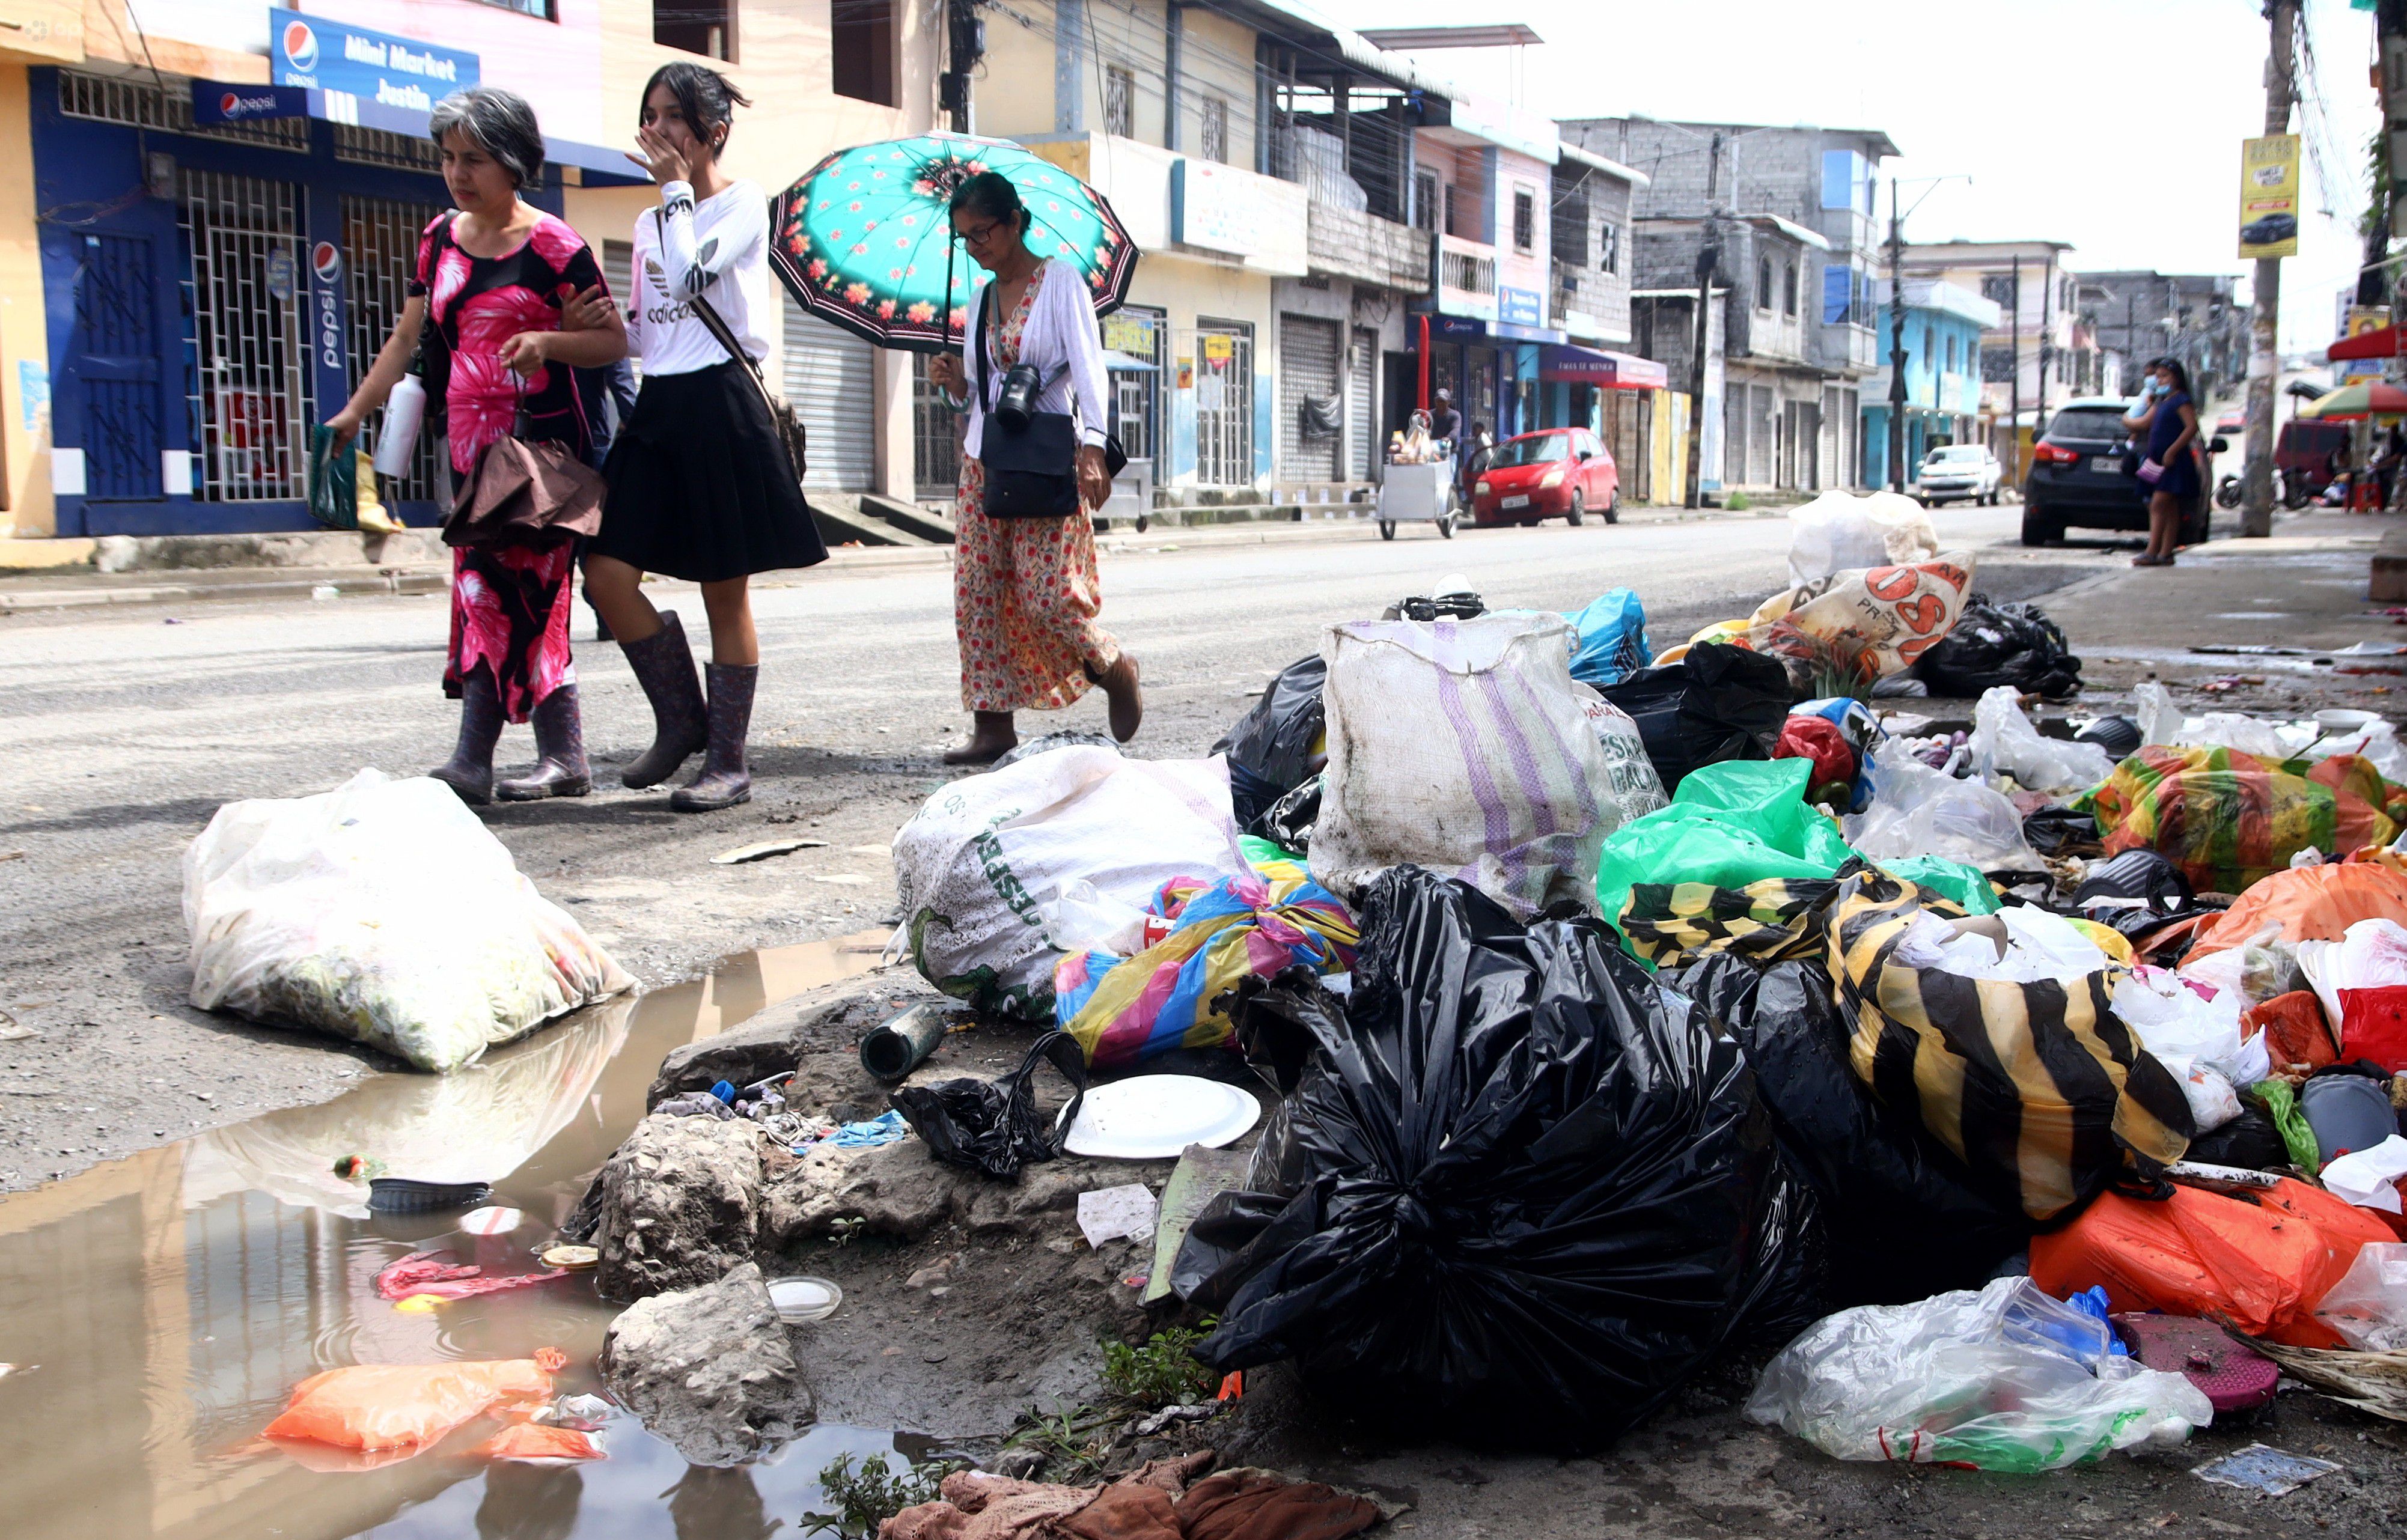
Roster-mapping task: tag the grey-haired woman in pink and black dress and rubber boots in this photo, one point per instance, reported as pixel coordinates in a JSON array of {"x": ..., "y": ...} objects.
[{"x": 492, "y": 278}]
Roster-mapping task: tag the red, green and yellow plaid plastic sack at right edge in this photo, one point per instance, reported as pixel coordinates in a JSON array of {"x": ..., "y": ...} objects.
[{"x": 2230, "y": 819}]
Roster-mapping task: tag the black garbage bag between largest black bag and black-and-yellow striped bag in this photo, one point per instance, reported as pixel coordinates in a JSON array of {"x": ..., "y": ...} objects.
[{"x": 1903, "y": 1214}]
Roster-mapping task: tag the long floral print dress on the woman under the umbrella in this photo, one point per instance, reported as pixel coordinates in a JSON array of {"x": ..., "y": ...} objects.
[{"x": 1027, "y": 593}]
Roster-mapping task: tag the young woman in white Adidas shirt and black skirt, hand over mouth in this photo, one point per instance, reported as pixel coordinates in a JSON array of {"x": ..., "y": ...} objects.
[{"x": 699, "y": 482}]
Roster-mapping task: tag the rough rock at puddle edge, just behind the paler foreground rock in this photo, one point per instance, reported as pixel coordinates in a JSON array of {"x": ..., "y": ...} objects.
[{"x": 680, "y": 1204}]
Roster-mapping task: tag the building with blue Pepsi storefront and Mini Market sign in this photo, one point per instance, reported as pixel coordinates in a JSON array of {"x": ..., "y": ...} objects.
[{"x": 227, "y": 201}]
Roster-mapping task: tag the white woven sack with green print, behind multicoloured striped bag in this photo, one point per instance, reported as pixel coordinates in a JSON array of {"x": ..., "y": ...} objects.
[{"x": 995, "y": 872}]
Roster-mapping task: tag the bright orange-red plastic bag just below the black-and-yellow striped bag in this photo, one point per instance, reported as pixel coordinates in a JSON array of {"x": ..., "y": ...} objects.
[{"x": 2261, "y": 1267}]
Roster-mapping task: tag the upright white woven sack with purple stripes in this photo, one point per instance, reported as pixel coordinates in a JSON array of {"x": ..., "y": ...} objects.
[{"x": 1465, "y": 747}]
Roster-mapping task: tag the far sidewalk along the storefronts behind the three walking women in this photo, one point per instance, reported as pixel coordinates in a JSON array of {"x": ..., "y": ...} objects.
[{"x": 425, "y": 567}]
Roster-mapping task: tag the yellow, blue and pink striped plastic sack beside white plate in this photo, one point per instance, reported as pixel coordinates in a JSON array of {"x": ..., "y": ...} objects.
[{"x": 1166, "y": 997}]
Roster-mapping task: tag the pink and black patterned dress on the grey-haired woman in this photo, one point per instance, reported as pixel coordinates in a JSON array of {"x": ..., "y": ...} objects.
[{"x": 509, "y": 603}]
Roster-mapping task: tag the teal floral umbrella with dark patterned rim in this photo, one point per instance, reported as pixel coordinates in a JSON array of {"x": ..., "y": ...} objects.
[{"x": 868, "y": 239}]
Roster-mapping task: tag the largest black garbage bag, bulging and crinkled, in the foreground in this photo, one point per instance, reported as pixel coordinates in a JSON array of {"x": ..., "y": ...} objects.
[{"x": 1537, "y": 1190}]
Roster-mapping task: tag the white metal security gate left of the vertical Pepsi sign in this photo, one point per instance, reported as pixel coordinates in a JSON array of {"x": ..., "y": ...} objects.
[{"x": 249, "y": 391}]
